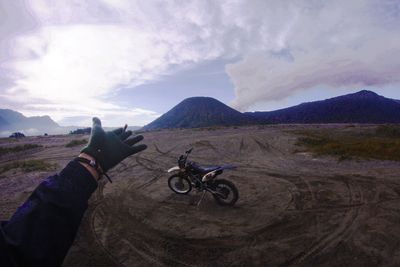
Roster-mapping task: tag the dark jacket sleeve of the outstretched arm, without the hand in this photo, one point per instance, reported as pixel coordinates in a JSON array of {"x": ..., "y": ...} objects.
[{"x": 44, "y": 227}]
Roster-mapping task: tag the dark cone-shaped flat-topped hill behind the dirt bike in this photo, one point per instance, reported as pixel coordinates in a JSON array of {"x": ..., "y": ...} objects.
[{"x": 199, "y": 112}]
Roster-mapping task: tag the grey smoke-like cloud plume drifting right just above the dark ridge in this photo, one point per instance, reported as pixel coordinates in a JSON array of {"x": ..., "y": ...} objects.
[{"x": 266, "y": 77}]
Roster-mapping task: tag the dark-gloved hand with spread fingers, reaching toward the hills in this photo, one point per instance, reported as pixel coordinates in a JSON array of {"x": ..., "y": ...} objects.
[{"x": 110, "y": 148}]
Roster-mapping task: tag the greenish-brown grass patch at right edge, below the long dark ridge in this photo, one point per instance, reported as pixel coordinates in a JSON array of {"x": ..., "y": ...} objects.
[{"x": 383, "y": 144}]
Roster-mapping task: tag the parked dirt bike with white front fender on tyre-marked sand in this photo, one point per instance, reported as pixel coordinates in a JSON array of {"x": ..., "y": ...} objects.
[{"x": 190, "y": 175}]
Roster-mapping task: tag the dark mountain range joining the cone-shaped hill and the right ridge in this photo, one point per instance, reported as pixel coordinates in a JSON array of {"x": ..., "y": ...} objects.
[{"x": 361, "y": 107}]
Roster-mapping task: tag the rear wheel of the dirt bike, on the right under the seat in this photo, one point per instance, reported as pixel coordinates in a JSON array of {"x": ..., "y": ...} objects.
[{"x": 226, "y": 193}]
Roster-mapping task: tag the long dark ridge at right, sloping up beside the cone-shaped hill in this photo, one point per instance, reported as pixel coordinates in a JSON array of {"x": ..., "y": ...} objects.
[{"x": 361, "y": 107}]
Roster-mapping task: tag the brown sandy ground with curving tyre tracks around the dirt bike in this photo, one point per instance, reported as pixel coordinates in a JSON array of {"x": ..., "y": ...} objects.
[{"x": 293, "y": 210}]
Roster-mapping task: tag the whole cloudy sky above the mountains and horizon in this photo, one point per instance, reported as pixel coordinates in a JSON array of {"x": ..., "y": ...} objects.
[{"x": 129, "y": 61}]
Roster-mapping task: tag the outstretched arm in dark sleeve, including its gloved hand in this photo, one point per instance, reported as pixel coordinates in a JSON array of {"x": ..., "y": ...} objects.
[{"x": 44, "y": 227}]
